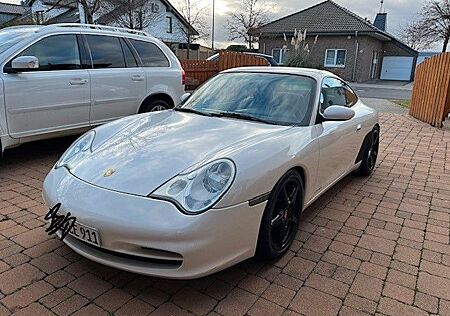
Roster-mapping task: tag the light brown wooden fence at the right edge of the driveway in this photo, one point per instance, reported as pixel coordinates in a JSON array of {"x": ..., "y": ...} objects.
[{"x": 430, "y": 101}]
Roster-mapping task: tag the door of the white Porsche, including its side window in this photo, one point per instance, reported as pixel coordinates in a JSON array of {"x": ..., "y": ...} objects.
[{"x": 338, "y": 140}]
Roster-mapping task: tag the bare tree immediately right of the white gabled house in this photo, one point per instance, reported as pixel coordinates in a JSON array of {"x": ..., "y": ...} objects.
[{"x": 195, "y": 14}]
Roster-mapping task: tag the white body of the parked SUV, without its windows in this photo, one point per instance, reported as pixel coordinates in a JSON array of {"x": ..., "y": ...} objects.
[{"x": 58, "y": 108}]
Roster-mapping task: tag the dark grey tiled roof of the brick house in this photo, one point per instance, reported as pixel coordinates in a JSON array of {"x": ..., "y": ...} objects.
[{"x": 327, "y": 18}]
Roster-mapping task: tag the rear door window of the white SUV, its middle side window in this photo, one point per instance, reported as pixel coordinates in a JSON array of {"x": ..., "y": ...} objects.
[{"x": 106, "y": 51}]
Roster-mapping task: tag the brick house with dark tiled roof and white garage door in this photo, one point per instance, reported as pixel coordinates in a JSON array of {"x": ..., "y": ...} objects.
[{"x": 347, "y": 44}]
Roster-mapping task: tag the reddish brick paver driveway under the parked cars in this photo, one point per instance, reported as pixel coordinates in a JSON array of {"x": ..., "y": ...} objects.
[{"x": 370, "y": 245}]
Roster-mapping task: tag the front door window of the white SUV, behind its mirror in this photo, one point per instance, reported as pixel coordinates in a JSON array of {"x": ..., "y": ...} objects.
[{"x": 59, "y": 52}]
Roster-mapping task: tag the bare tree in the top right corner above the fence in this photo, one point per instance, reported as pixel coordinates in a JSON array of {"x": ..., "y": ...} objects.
[{"x": 432, "y": 25}]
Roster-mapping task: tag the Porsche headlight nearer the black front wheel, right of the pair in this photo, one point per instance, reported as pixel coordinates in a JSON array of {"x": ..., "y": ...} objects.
[{"x": 197, "y": 191}]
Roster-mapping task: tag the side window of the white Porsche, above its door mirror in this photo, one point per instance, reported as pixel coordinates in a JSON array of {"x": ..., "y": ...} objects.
[{"x": 336, "y": 92}]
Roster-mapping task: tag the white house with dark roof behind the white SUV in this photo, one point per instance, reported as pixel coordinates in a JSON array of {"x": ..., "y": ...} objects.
[{"x": 165, "y": 21}]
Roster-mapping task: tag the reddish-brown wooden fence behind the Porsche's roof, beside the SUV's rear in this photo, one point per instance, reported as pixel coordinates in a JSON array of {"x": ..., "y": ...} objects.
[{"x": 198, "y": 71}]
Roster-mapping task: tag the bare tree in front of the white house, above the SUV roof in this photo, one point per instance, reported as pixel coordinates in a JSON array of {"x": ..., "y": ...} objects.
[{"x": 132, "y": 14}]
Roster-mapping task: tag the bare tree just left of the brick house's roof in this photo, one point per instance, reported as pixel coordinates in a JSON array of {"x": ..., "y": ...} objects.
[{"x": 250, "y": 15}]
